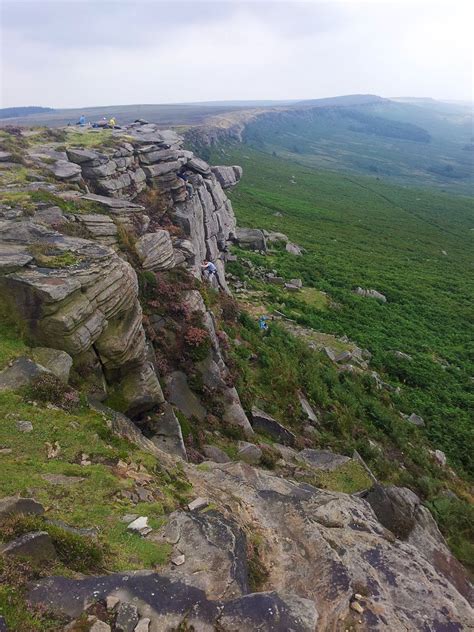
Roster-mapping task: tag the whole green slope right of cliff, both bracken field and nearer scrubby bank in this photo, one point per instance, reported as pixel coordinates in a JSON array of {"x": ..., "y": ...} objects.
[{"x": 362, "y": 232}]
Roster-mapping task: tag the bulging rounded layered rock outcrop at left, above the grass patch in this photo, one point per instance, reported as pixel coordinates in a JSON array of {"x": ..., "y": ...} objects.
[{"x": 89, "y": 302}]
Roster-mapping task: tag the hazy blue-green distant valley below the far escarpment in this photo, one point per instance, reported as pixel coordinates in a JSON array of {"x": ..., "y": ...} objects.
[{"x": 418, "y": 145}]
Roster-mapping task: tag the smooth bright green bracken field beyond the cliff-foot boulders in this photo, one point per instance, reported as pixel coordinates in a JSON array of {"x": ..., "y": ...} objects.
[{"x": 362, "y": 232}]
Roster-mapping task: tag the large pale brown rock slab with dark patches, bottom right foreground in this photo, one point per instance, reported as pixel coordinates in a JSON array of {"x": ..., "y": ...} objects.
[{"x": 326, "y": 546}]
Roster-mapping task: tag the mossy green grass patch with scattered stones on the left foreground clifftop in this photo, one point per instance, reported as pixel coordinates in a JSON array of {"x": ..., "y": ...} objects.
[{"x": 93, "y": 502}]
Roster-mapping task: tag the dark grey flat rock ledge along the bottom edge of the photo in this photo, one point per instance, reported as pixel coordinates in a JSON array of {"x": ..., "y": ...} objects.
[{"x": 170, "y": 602}]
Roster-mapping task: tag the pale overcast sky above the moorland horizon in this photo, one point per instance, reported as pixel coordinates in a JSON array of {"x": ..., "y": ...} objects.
[{"x": 74, "y": 53}]
